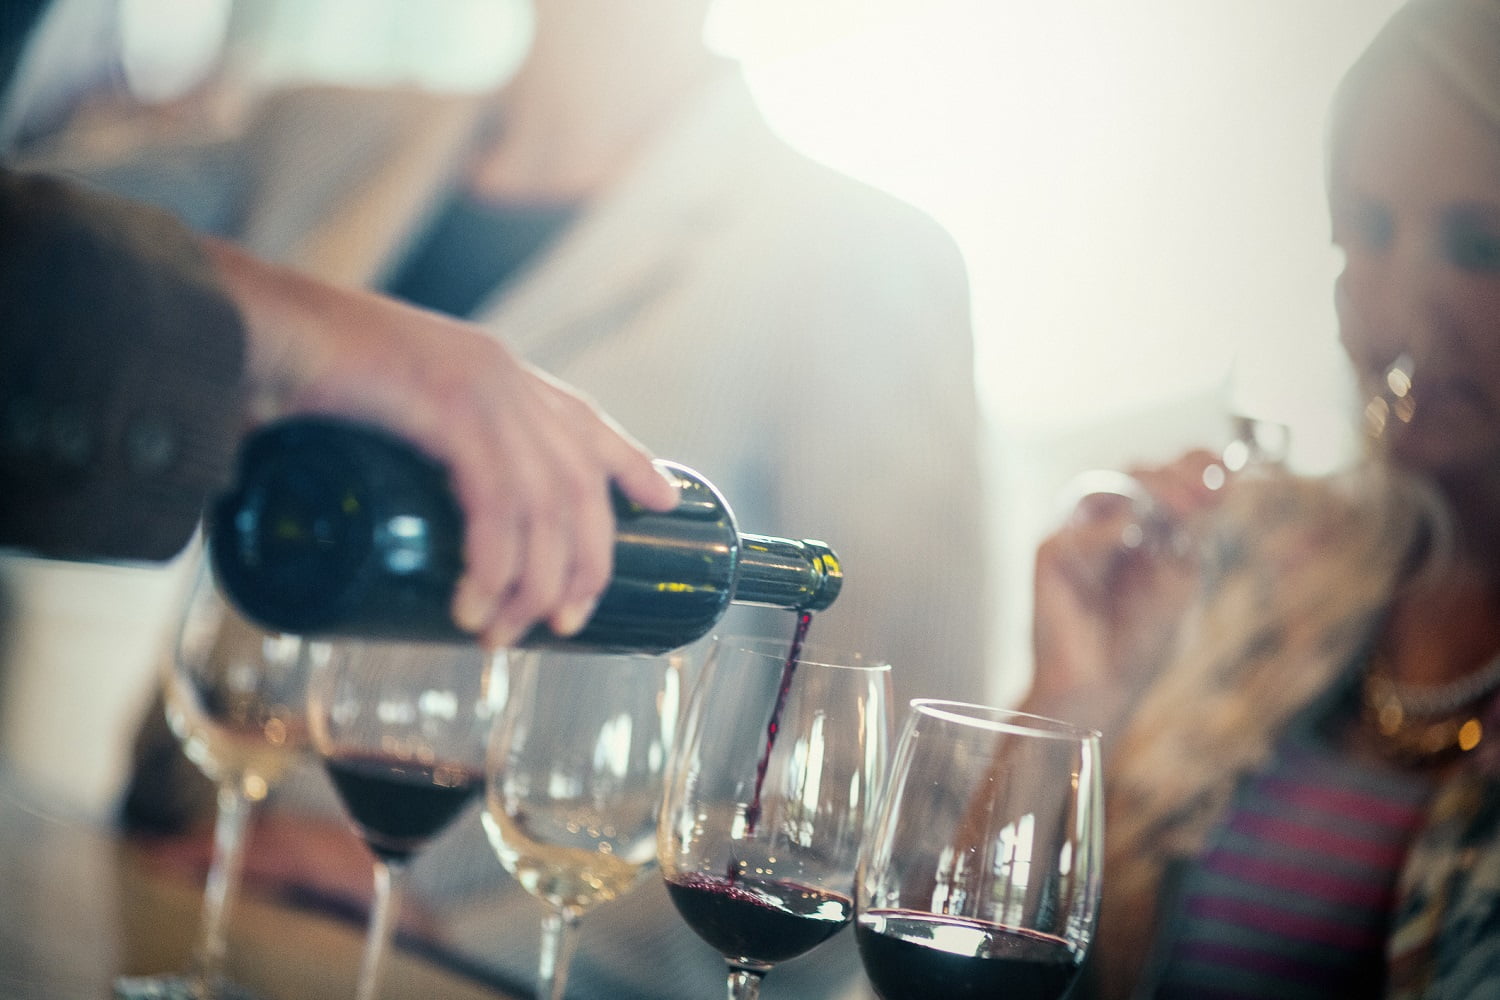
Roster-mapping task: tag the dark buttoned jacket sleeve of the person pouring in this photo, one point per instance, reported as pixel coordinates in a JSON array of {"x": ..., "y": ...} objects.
[{"x": 121, "y": 376}]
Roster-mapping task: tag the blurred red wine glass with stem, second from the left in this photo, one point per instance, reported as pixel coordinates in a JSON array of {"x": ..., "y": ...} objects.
[{"x": 401, "y": 731}]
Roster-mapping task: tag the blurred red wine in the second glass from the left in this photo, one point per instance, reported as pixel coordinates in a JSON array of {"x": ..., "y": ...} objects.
[{"x": 397, "y": 804}]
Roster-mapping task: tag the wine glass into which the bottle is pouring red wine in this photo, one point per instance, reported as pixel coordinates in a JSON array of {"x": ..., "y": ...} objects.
[{"x": 767, "y": 800}]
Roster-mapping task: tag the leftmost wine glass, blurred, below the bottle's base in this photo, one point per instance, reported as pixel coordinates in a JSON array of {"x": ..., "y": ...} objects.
[{"x": 236, "y": 699}]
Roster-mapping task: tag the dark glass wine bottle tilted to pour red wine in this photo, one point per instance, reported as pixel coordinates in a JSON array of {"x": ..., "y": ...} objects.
[{"x": 341, "y": 530}]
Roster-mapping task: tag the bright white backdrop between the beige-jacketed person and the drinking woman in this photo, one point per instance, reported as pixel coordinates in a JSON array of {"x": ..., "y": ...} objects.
[{"x": 1139, "y": 196}]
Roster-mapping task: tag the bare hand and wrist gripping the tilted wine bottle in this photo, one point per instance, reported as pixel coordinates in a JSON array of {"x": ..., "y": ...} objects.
[{"x": 530, "y": 461}]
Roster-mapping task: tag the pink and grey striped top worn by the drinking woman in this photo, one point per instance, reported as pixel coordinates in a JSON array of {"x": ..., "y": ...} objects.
[{"x": 1292, "y": 900}]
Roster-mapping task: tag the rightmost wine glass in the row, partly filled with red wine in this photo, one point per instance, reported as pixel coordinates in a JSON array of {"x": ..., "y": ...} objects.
[{"x": 982, "y": 872}]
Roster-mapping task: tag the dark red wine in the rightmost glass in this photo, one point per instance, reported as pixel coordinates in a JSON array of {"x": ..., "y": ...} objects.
[{"x": 913, "y": 956}]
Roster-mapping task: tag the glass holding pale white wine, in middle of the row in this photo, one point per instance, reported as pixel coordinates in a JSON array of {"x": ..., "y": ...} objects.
[{"x": 575, "y": 782}]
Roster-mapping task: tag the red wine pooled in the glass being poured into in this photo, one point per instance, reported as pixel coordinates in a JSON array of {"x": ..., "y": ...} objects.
[{"x": 767, "y": 918}]
